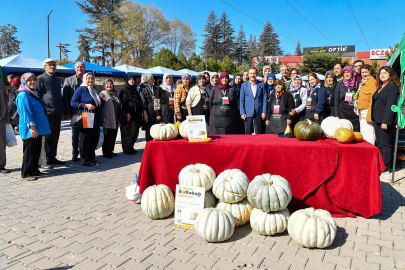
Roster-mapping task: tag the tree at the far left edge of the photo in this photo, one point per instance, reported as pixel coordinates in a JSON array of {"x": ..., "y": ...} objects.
[{"x": 9, "y": 45}]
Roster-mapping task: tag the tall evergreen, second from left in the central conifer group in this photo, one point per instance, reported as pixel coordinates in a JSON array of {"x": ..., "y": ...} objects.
[{"x": 226, "y": 44}]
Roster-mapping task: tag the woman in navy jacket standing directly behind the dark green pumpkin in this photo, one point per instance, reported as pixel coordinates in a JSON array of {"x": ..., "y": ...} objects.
[{"x": 316, "y": 100}]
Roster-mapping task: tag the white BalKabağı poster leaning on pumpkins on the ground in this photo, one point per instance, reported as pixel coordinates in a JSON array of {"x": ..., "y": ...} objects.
[{"x": 189, "y": 203}]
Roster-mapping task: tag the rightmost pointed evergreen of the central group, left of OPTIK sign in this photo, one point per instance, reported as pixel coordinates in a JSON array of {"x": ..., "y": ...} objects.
[{"x": 269, "y": 45}]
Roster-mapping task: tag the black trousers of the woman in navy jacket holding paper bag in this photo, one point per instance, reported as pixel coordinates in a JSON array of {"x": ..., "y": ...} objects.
[{"x": 88, "y": 140}]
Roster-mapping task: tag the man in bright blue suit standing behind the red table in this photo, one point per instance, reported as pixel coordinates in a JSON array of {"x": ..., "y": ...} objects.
[{"x": 253, "y": 103}]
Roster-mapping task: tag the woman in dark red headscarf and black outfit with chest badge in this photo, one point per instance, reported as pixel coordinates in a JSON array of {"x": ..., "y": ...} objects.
[{"x": 223, "y": 107}]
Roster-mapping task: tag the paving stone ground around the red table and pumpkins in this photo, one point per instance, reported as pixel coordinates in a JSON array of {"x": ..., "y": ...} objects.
[{"x": 79, "y": 218}]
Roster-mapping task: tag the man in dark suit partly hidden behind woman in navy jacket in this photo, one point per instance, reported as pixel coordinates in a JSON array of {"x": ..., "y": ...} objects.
[{"x": 69, "y": 87}]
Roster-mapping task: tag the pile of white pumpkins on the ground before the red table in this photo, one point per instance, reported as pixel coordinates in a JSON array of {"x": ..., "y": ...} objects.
[{"x": 265, "y": 206}]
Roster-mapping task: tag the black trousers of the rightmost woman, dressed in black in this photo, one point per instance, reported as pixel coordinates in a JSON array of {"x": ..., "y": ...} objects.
[{"x": 384, "y": 140}]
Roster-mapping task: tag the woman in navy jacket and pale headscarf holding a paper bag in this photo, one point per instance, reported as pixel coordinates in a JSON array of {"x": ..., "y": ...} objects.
[{"x": 86, "y": 98}]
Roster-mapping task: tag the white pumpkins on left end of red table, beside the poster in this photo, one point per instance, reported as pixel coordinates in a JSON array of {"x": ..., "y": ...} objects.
[{"x": 165, "y": 132}]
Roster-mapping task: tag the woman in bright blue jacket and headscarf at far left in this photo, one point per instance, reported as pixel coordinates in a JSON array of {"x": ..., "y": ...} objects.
[{"x": 33, "y": 124}]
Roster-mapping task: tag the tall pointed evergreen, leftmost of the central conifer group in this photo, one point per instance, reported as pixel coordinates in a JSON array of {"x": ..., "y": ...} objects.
[{"x": 210, "y": 46}]
